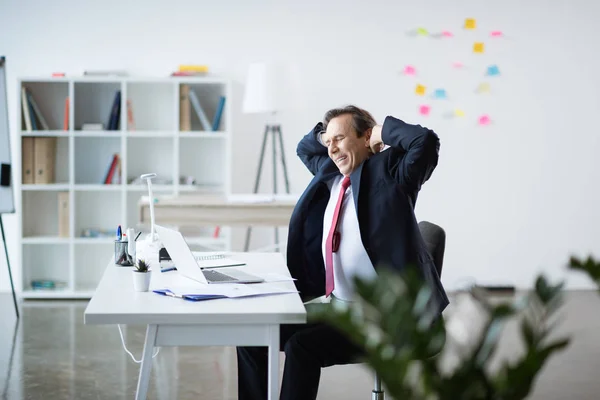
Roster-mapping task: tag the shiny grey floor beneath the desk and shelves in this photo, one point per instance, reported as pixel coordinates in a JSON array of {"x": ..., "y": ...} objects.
[{"x": 52, "y": 355}]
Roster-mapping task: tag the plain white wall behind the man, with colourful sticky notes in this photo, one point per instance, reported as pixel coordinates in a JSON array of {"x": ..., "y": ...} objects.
[{"x": 515, "y": 198}]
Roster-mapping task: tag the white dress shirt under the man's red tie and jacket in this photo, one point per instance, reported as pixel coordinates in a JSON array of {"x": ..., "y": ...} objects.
[{"x": 351, "y": 259}]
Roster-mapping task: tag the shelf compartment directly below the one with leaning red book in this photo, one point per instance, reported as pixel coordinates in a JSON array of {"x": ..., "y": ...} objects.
[{"x": 97, "y": 214}]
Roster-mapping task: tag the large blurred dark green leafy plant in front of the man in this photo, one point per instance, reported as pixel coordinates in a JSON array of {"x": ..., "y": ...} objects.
[{"x": 394, "y": 321}]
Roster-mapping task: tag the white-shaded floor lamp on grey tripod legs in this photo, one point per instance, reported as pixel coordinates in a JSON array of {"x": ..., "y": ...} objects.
[{"x": 260, "y": 96}]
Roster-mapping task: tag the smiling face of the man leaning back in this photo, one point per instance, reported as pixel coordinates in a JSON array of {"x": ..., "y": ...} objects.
[{"x": 345, "y": 148}]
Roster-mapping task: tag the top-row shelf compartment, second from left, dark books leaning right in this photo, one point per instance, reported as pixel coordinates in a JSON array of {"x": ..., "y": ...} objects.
[{"x": 94, "y": 103}]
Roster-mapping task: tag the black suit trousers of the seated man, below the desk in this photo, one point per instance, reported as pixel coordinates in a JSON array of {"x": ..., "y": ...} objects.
[{"x": 308, "y": 348}]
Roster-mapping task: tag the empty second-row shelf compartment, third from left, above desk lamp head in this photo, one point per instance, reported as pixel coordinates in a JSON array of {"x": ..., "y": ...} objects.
[{"x": 147, "y": 155}]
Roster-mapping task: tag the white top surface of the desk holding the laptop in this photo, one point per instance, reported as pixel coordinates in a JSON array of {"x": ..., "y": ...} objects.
[{"x": 116, "y": 302}]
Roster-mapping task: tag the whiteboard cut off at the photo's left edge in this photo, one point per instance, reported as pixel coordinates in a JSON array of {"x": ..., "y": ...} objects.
[{"x": 6, "y": 191}]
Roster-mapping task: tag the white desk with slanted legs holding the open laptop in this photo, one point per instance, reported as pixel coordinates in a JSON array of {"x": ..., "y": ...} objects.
[{"x": 174, "y": 322}]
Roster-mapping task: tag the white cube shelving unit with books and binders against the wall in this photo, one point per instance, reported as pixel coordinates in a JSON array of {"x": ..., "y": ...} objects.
[{"x": 155, "y": 144}]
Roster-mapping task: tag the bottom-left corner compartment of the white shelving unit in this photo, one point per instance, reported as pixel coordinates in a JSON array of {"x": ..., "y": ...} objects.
[{"x": 46, "y": 263}]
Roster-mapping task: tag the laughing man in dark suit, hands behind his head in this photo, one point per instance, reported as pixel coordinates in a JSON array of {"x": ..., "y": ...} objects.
[{"x": 356, "y": 214}]
